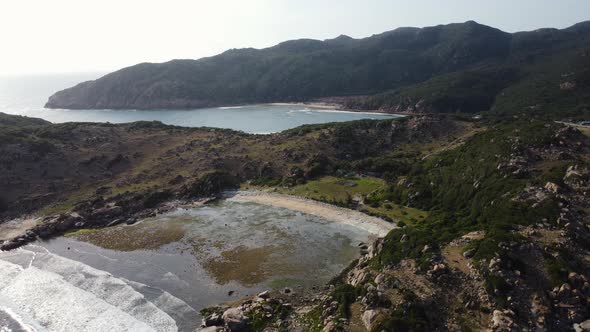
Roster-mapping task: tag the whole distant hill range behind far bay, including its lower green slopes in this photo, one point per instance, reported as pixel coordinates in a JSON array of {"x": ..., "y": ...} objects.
[{"x": 407, "y": 69}]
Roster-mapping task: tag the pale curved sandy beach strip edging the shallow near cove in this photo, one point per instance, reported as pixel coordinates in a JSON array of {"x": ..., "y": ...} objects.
[{"x": 374, "y": 225}]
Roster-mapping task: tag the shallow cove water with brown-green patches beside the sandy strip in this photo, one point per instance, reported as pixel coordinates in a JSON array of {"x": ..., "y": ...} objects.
[{"x": 200, "y": 255}]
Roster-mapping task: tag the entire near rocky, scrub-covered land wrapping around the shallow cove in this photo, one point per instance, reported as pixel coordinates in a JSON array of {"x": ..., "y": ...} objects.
[{"x": 504, "y": 248}]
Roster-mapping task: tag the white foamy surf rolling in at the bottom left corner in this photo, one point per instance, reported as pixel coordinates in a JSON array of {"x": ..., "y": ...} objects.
[{"x": 65, "y": 295}]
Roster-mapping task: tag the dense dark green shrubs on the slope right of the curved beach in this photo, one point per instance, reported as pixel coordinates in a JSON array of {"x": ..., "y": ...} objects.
[{"x": 464, "y": 191}]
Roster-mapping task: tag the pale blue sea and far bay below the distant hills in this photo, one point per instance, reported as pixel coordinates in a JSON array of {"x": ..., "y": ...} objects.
[{"x": 26, "y": 96}]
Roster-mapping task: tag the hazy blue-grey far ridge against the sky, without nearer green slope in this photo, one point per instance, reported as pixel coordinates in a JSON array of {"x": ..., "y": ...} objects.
[{"x": 304, "y": 69}]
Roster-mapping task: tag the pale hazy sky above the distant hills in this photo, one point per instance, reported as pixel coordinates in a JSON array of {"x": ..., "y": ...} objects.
[{"x": 104, "y": 35}]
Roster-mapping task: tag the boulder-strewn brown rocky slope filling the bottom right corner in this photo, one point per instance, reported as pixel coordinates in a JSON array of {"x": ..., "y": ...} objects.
[{"x": 538, "y": 281}]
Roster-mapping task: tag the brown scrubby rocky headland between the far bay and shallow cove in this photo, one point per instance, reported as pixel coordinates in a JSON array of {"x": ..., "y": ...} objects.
[{"x": 84, "y": 175}]
